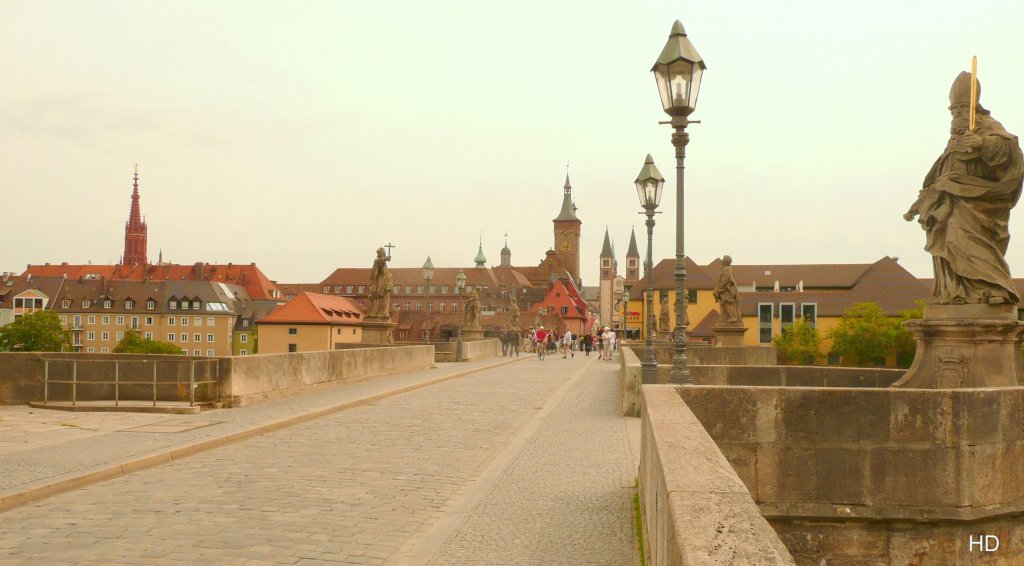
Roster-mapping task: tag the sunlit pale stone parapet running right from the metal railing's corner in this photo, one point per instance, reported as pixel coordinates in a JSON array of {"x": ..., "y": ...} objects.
[{"x": 249, "y": 379}]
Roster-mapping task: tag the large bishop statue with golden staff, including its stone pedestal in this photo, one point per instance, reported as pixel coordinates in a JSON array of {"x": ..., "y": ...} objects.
[{"x": 969, "y": 336}]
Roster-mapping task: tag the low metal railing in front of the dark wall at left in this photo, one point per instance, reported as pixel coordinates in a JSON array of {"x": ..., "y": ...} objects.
[{"x": 212, "y": 377}]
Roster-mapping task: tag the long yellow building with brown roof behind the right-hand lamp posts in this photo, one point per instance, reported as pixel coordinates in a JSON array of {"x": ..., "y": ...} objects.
[{"x": 775, "y": 297}]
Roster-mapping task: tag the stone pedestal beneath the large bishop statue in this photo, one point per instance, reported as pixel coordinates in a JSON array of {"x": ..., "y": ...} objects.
[{"x": 966, "y": 346}]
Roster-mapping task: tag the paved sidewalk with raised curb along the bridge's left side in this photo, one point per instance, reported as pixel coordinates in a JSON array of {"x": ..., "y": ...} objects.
[{"x": 44, "y": 453}]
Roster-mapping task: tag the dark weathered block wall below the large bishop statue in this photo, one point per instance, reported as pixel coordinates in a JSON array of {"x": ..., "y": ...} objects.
[{"x": 876, "y": 476}]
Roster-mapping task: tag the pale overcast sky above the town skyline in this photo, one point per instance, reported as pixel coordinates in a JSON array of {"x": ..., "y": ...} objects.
[{"x": 303, "y": 136}]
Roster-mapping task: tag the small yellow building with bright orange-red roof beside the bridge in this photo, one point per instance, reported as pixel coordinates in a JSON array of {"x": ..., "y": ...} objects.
[{"x": 311, "y": 323}]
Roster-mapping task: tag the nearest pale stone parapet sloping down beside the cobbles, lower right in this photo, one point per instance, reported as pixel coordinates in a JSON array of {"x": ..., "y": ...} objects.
[{"x": 696, "y": 510}]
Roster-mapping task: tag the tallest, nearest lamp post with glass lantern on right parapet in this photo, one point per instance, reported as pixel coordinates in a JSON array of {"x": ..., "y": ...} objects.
[{"x": 678, "y": 72}]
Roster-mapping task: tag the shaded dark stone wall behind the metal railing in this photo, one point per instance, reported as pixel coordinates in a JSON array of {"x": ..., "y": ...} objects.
[{"x": 22, "y": 376}]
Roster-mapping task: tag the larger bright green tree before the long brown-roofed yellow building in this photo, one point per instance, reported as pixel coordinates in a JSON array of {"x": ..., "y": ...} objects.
[{"x": 866, "y": 336}]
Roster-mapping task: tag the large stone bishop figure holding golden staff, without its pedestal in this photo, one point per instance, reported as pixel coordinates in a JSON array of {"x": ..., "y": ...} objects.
[{"x": 965, "y": 205}]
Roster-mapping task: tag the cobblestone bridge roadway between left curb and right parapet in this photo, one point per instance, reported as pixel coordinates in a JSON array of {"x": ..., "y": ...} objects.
[{"x": 357, "y": 487}]
